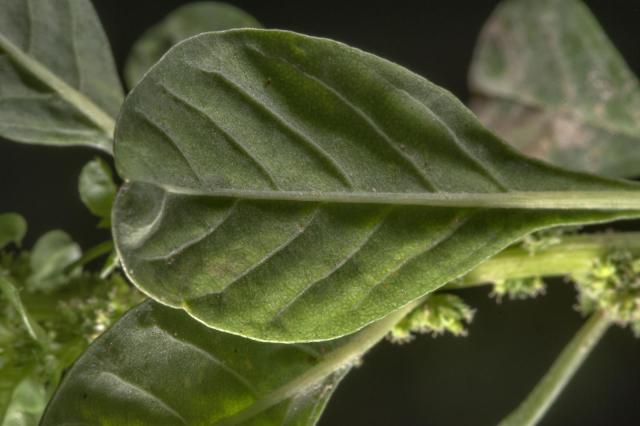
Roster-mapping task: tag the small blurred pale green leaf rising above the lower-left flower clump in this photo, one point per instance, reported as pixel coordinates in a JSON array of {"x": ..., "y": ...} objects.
[{"x": 51, "y": 255}]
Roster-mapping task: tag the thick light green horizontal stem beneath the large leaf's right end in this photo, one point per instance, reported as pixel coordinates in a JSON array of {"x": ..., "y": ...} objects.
[{"x": 575, "y": 254}]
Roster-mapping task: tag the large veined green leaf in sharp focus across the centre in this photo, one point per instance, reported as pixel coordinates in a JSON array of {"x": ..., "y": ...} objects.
[{"x": 291, "y": 188}]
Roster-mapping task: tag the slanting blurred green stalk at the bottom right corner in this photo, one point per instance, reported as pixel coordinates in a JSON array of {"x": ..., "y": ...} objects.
[{"x": 531, "y": 410}]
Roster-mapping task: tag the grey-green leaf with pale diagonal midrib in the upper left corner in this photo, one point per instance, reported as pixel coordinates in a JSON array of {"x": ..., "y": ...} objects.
[{"x": 59, "y": 82}]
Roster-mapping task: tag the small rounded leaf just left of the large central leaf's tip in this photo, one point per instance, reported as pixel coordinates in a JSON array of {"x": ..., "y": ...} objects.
[{"x": 97, "y": 189}]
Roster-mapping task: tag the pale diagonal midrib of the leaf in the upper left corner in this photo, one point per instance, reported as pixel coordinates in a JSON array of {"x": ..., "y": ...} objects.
[{"x": 78, "y": 100}]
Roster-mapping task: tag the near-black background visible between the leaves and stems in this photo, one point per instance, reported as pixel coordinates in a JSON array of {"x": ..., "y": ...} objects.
[{"x": 433, "y": 381}]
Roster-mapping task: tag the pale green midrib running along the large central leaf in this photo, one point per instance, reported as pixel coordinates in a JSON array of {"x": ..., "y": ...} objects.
[{"x": 543, "y": 200}]
